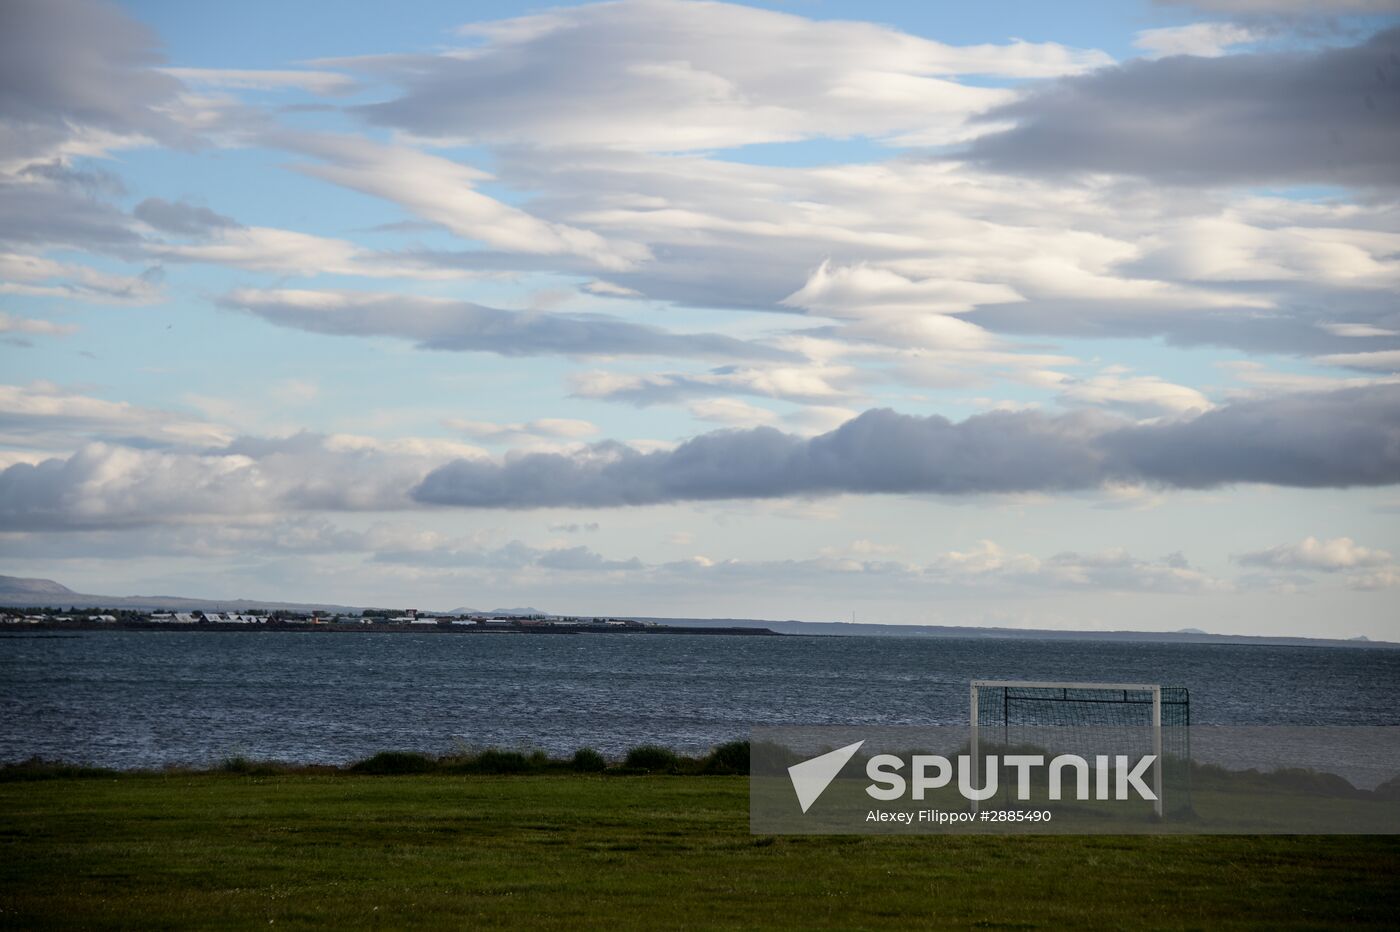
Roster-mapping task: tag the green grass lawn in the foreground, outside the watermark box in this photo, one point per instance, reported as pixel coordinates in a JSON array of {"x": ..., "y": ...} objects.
[{"x": 566, "y": 852}]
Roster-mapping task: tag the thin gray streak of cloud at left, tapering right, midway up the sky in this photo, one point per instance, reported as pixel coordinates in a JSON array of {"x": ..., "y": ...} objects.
[{"x": 464, "y": 327}]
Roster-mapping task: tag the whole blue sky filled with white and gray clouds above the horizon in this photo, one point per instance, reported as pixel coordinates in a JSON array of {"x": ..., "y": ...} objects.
[{"x": 1066, "y": 316}]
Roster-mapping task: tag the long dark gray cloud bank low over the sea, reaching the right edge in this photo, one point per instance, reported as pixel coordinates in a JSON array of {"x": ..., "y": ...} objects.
[{"x": 1329, "y": 440}]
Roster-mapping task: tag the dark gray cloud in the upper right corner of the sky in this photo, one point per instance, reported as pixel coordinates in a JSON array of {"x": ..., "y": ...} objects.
[{"x": 1331, "y": 117}]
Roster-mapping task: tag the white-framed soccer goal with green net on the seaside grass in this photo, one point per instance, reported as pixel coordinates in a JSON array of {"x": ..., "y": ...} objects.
[{"x": 1091, "y": 720}]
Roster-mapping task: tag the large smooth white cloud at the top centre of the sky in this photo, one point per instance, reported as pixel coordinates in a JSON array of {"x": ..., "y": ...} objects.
[{"x": 663, "y": 76}]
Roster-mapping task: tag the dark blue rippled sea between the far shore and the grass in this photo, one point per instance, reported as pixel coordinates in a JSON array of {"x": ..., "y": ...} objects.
[{"x": 142, "y": 699}]
